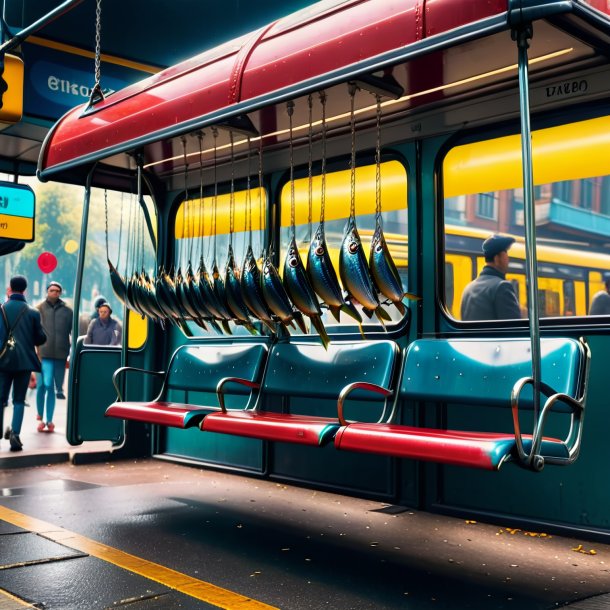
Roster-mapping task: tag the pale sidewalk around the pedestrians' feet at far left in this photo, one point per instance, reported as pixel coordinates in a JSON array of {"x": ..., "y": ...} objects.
[{"x": 41, "y": 448}]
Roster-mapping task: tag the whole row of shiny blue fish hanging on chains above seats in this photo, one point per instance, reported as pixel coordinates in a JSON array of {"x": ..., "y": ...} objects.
[{"x": 255, "y": 291}]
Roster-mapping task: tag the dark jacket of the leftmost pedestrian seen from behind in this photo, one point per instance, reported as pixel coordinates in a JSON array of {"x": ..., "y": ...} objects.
[{"x": 28, "y": 334}]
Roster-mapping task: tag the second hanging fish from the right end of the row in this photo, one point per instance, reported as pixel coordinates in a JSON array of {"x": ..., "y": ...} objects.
[{"x": 355, "y": 275}]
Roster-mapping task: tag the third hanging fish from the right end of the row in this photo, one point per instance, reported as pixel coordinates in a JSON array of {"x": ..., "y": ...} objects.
[{"x": 323, "y": 277}]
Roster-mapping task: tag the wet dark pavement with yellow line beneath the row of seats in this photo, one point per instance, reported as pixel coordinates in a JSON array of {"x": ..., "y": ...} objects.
[{"x": 266, "y": 544}]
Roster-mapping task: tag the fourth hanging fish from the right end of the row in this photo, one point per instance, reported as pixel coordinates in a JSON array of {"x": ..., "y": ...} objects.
[{"x": 300, "y": 290}]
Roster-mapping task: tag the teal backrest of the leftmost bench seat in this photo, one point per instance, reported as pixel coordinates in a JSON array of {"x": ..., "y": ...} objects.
[{"x": 199, "y": 368}]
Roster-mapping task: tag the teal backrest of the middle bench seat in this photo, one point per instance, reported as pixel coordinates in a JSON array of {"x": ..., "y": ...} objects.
[{"x": 306, "y": 369}]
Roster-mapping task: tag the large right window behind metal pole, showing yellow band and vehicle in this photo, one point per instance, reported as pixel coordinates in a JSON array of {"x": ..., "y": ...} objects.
[{"x": 483, "y": 196}]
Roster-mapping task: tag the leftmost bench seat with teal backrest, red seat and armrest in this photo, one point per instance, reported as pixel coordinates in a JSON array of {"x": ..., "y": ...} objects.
[{"x": 193, "y": 368}]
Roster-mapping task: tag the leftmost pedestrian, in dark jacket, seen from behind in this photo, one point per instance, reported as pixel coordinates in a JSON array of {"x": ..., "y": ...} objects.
[{"x": 28, "y": 333}]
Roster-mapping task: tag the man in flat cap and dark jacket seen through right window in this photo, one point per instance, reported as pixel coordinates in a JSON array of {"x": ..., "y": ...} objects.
[{"x": 491, "y": 296}]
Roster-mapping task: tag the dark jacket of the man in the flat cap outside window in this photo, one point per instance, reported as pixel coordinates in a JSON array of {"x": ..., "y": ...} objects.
[{"x": 490, "y": 297}]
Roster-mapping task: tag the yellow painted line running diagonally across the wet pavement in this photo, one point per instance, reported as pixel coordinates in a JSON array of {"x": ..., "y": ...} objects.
[{"x": 207, "y": 592}]
